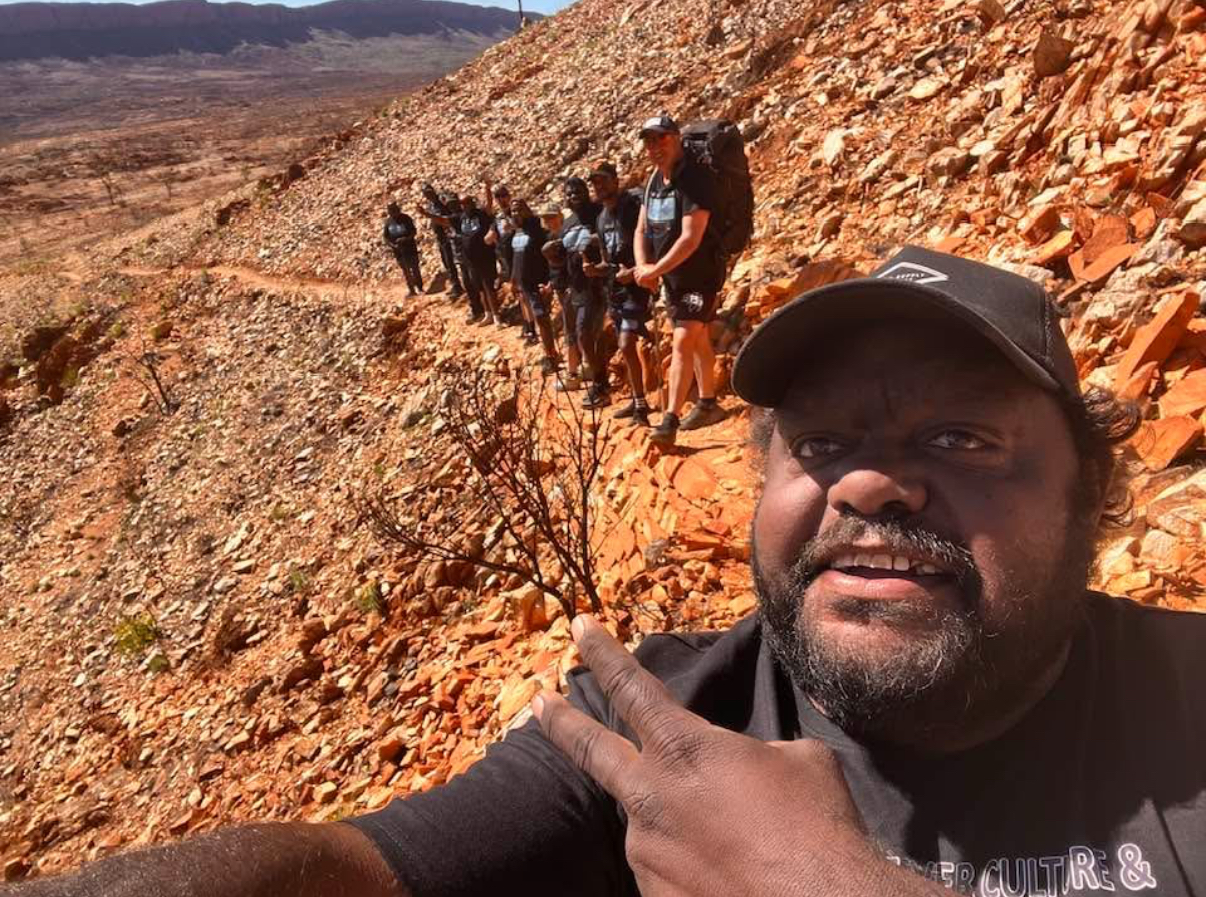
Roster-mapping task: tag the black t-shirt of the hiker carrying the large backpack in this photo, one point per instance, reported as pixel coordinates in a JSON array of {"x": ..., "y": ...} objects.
[{"x": 692, "y": 189}]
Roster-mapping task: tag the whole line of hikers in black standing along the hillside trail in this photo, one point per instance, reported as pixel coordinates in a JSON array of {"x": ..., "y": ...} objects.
[{"x": 607, "y": 260}]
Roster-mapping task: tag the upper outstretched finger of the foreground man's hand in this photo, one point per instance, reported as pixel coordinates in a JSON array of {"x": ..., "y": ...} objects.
[{"x": 637, "y": 695}]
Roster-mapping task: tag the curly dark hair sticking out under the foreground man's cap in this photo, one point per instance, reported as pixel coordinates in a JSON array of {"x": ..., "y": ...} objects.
[{"x": 1100, "y": 423}]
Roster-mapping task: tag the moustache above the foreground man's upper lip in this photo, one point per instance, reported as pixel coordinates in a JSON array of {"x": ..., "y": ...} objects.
[{"x": 899, "y": 536}]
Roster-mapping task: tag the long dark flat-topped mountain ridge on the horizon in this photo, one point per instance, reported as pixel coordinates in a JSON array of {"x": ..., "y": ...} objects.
[{"x": 80, "y": 32}]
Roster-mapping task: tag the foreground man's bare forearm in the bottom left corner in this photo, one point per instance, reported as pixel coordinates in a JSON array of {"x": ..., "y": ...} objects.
[{"x": 332, "y": 860}]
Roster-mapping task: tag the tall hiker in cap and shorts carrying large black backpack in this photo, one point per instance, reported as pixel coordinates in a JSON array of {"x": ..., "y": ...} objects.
[{"x": 693, "y": 221}]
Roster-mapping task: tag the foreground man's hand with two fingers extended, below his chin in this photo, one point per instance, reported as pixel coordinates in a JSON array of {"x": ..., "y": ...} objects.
[{"x": 711, "y": 812}]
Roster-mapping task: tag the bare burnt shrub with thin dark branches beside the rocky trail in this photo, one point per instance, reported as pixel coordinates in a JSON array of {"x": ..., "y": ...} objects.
[{"x": 531, "y": 467}]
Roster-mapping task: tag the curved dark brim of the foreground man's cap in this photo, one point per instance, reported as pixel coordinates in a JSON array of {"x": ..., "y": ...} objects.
[{"x": 776, "y": 353}]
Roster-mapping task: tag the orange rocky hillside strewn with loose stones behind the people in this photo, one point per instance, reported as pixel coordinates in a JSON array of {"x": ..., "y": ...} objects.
[{"x": 197, "y": 629}]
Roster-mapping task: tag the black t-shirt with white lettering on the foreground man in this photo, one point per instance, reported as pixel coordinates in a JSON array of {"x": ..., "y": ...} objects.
[{"x": 1102, "y": 788}]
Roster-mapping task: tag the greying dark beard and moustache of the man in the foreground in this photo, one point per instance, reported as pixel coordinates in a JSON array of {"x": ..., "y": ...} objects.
[{"x": 961, "y": 665}]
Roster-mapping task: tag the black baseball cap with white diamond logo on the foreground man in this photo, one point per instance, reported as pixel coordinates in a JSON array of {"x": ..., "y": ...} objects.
[{"x": 1014, "y": 313}]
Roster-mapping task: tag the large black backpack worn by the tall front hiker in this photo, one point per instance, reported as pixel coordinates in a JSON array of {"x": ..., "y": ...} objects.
[{"x": 719, "y": 146}]
